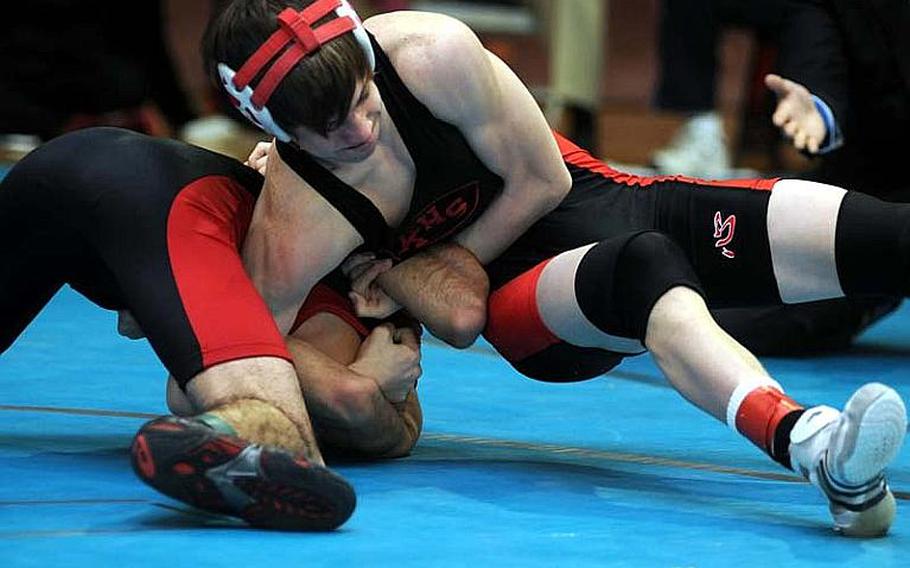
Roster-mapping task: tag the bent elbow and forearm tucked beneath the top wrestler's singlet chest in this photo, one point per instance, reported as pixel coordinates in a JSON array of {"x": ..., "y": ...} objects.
[{"x": 445, "y": 288}]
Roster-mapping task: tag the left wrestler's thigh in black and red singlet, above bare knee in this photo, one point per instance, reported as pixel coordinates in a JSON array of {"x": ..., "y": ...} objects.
[{"x": 184, "y": 282}]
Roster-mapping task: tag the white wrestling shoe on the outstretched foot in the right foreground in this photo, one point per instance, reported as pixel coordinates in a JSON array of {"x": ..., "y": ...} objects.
[{"x": 845, "y": 453}]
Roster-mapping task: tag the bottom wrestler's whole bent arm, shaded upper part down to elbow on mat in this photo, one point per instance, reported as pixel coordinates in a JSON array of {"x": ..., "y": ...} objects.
[{"x": 348, "y": 409}]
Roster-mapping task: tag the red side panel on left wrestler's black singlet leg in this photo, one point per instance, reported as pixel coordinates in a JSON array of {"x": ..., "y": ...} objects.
[{"x": 206, "y": 225}]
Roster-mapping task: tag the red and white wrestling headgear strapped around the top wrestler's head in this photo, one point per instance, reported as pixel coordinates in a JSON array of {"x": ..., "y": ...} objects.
[{"x": 294, "y": 28}]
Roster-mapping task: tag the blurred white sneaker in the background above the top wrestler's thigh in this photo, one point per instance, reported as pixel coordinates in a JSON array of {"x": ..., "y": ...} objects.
[{"x": 699, "y": 149}]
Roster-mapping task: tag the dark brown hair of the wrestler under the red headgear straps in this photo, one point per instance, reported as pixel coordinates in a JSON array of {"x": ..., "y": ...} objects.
[{"x": 318, "y": 90}]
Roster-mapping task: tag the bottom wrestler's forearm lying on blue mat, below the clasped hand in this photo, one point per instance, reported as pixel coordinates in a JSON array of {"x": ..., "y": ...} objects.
[{"x": 349, "y": 411}]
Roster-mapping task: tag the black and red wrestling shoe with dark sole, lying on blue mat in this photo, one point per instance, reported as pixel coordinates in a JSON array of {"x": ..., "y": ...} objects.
[{"x": 265, "y": 486}]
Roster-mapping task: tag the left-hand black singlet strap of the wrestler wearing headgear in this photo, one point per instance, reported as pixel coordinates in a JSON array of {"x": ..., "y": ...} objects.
[{"x": 356, "y": 207}]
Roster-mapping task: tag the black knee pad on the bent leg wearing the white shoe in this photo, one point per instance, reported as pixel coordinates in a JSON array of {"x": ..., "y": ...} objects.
[{"x": 619, "y": 280}]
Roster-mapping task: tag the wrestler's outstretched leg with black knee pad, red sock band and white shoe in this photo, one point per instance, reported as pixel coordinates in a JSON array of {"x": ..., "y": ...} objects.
[{"x": 641, "y": 288}]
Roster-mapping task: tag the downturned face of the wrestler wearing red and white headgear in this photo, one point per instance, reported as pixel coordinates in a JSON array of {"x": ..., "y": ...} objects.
[{"x": 352, "y": 139}]
